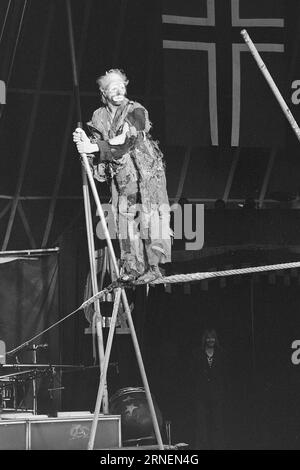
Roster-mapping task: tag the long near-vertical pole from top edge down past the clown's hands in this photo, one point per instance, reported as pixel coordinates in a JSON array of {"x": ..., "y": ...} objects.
[{"x": 87, "y": 205}]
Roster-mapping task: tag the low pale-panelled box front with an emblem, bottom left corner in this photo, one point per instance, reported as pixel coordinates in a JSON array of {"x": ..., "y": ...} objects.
[{"x": 70, "y": 433}]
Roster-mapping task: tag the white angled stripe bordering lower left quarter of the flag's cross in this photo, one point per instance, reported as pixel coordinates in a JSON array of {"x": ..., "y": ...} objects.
[{"x": 212, "y": 78}]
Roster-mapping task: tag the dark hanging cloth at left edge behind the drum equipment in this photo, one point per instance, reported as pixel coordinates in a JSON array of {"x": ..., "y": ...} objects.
[{"x": 28, "y": 305}]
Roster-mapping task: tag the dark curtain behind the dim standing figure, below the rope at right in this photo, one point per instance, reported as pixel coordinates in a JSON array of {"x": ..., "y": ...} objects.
[{"x": 256, "y": 323}]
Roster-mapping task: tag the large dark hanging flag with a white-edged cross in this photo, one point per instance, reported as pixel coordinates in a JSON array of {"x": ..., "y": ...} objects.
[{"x": 214, "y": 92}]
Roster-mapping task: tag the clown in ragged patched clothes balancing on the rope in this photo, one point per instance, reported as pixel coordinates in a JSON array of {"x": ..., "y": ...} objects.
[{"x": 124, "y": 154}]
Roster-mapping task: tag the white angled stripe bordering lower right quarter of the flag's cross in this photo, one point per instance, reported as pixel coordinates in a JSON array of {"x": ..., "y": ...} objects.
[{"x": 236, "y": 83}]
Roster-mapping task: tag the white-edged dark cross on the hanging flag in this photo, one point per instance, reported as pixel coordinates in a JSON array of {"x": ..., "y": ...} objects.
[{"x": 207, "y": 24}]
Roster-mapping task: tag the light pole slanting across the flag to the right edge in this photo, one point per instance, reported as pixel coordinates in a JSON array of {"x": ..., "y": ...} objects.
[{"x": 271, "y": 83}]
